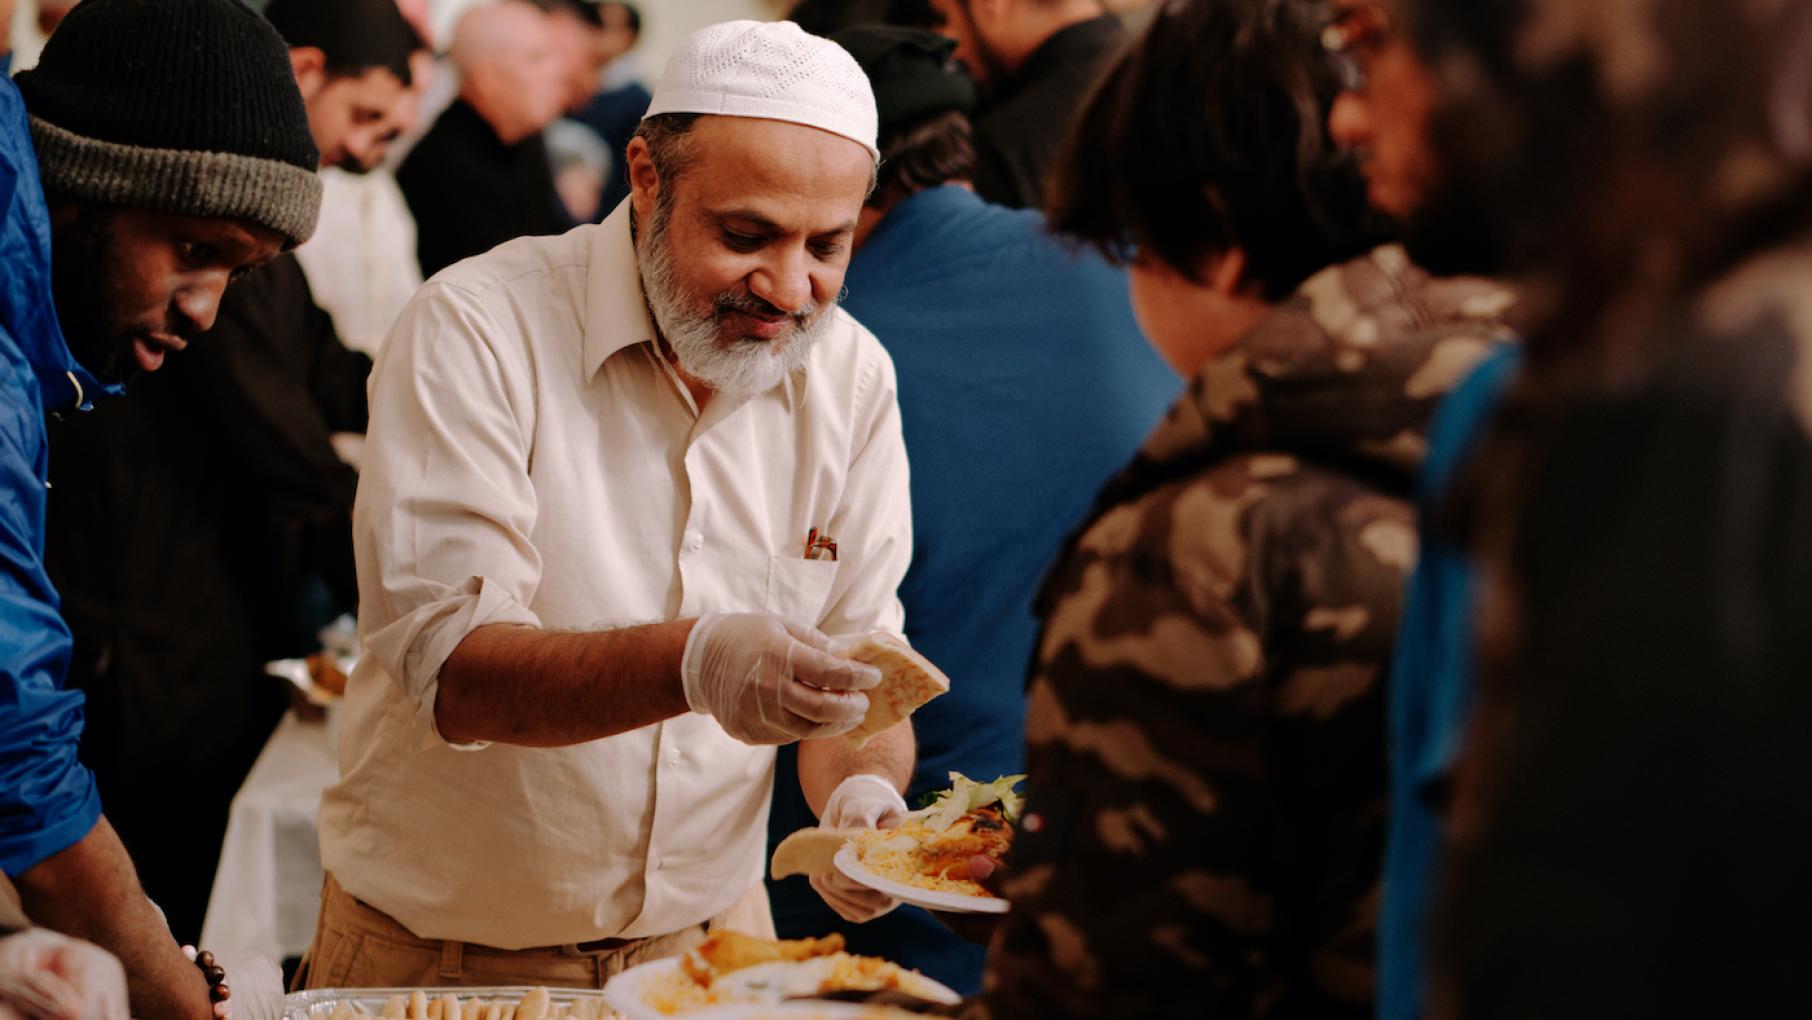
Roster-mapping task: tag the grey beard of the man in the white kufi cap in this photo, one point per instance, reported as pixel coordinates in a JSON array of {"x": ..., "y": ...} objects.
[{"x": 693, "y": 329}]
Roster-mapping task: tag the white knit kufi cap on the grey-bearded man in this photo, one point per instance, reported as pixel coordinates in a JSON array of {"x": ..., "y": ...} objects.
[{"x": 771, "y": 72}]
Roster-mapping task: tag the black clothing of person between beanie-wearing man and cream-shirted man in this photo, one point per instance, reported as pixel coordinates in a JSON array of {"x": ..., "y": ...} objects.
[{"x": 182, "y": 521}]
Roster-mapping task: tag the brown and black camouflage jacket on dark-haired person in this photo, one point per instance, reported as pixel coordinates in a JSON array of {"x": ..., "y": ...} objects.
[{"x": 1206, "y": 727}]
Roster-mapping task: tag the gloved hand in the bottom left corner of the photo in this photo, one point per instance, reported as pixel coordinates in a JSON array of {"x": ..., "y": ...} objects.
[{"x": 53, "y": 977}]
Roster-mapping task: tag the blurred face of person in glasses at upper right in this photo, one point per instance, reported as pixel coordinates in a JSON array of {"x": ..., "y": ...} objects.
[{"x": 1383, "y": 115}]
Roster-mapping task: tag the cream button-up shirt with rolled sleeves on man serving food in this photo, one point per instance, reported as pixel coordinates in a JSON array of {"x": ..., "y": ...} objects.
[{"x": 535, "y": 461}]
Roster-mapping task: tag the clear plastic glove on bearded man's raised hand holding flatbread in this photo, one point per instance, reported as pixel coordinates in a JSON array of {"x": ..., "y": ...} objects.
[{"x": 769, "y": 682}]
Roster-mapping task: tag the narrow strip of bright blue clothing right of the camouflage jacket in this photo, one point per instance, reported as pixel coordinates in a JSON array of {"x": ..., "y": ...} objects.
[{"x": 1431, "y": 693}]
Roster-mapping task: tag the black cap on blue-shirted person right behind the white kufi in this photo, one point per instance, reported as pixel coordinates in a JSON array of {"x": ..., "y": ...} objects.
[{"x": 911, "y": 73}]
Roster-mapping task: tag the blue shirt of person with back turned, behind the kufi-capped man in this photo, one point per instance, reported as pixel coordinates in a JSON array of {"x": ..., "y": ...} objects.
[{"x": 1023, "y": 383}]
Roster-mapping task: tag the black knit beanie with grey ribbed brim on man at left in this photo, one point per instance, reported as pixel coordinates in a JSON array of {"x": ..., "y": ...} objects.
[{"x": 175, "y": 106}]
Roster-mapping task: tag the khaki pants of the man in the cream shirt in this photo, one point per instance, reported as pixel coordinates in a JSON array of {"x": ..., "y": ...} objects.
[{"x": 360, "y": 947}]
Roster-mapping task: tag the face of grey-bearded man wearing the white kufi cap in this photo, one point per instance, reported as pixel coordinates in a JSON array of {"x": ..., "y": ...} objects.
[{"x": 744, "y": 256}]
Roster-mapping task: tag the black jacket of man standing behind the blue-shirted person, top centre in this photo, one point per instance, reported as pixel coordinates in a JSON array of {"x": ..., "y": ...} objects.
[{"x": 1026, "y": 120}]
